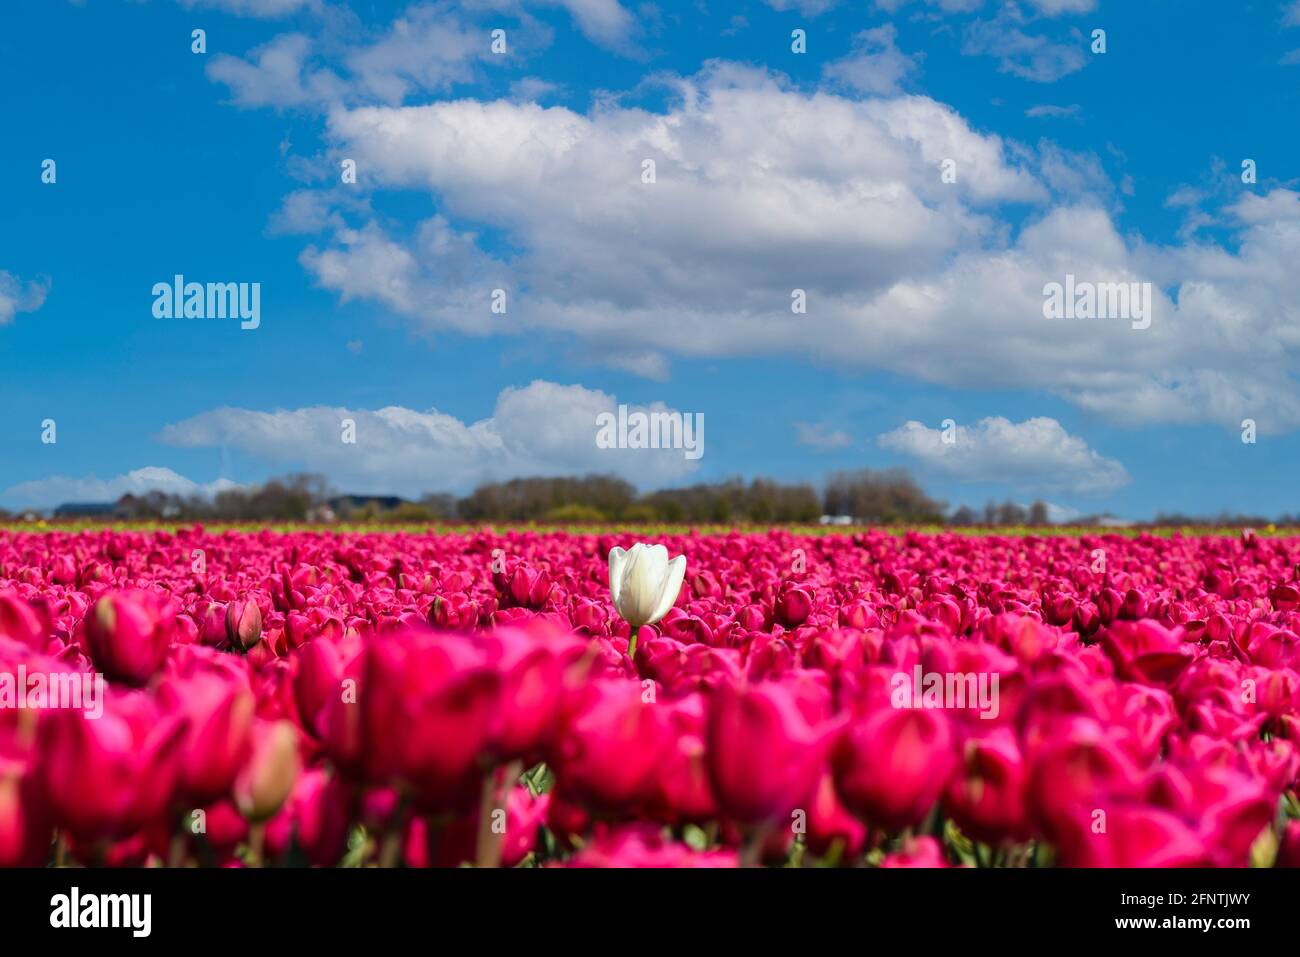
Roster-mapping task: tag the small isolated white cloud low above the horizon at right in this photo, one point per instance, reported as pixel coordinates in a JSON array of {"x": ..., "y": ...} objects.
[{"x": 1037, "y": 454}]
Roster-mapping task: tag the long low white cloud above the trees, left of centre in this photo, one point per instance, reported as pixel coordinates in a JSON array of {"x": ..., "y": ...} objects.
[{"x": 543, "y": 428}]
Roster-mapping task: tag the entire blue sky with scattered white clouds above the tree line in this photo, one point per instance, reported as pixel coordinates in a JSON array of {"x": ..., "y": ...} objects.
[{"x": 775, "y": 171}]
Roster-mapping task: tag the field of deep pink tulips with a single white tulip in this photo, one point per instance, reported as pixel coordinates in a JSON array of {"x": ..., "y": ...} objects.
[{"x": 552, "y": 699}]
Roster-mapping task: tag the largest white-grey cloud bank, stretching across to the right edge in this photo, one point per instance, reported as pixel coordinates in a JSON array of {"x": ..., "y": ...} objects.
[{"x": 762, "y": 189}]
